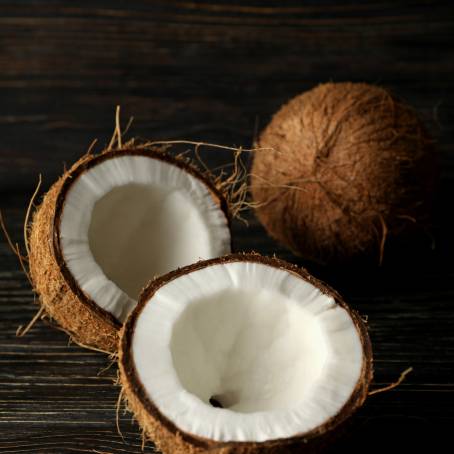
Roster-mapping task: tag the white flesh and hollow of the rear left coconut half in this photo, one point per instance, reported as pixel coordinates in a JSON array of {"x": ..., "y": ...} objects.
[{"x": 131, "y": 218}]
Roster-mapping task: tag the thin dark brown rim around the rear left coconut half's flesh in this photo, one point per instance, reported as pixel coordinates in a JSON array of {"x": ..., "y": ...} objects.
[{"x": 71, "y": 177}]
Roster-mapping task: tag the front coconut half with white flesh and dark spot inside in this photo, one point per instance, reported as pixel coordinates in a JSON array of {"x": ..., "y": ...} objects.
[{"x": 245, "y": 354}]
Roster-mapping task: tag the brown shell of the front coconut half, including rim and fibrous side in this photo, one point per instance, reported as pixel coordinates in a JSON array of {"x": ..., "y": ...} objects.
[{"x": 171, "y": 440}]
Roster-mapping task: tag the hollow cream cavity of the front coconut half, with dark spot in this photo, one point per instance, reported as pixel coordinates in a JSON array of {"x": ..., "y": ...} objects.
[{"x": 217, "y": 340}]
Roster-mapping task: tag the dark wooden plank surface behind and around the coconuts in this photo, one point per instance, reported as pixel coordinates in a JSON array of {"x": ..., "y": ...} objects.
[{"x": 215, "y": 71}]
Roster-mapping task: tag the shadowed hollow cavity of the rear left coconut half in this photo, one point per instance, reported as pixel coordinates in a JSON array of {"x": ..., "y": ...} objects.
[{"x": 147, "y": 226}]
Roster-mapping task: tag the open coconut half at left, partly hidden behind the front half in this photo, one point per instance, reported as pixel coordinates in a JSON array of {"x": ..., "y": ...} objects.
[{"x": 109, "y": 225}]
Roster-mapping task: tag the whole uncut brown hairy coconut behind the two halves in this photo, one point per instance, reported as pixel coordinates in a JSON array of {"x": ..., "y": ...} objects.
[{"x": 340, "y": 168}]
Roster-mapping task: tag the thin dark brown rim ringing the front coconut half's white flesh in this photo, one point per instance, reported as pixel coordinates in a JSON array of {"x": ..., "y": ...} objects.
[{"x": 127, "y": 365}]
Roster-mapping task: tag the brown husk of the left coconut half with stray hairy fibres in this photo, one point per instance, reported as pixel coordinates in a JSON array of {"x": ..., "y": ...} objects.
[{"x": 60, "y": 298}]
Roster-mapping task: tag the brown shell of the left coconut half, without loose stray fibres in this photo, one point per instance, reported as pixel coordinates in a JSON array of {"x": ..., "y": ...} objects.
[{"x": 59, "y": 294}]
